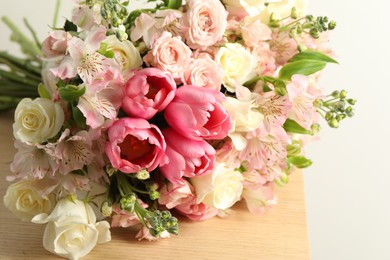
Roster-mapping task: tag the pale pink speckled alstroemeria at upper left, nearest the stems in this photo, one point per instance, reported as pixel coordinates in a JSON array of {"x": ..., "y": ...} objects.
[{"x": 83, "y": 59}]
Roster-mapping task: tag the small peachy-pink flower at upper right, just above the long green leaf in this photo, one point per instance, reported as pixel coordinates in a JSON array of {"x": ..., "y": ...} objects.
[{"x": 283, "y": 46}]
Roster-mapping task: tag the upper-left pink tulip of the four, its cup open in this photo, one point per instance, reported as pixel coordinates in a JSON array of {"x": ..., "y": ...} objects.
[{"x": 149, "y": 91}]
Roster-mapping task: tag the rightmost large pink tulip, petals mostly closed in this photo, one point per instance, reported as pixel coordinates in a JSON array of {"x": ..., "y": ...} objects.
[{"x": 197, "y": 113}]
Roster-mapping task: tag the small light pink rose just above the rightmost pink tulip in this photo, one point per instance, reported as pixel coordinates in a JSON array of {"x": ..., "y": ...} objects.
[{"x": 204, "y": 72}]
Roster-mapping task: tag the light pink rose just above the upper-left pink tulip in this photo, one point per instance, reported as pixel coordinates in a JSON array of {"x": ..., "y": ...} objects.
[{"x": 169, "y": 54}]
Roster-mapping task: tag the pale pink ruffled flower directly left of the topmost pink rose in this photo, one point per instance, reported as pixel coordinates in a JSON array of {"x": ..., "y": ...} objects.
[{"x": 150, "y": 26}]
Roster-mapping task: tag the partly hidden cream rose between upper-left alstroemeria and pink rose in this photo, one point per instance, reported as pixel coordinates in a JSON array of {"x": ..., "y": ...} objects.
[{"x": 125, "y": 53}]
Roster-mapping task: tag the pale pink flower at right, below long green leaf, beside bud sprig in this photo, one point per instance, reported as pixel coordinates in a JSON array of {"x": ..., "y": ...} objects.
[{"x": 302, "y": 95}]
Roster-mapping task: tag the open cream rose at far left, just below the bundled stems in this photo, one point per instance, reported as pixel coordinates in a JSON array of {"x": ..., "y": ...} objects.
[{"x": 37, "y": 120}]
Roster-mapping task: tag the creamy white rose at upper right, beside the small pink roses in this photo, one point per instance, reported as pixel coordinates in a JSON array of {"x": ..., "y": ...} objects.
[{"x": 237, "y": 63}]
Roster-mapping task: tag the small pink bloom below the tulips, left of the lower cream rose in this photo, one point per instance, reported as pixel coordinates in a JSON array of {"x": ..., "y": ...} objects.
[{"x": 174, "y": 194}]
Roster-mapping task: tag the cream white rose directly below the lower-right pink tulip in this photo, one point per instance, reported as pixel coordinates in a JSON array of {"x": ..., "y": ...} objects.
[{"x": 219, "y": 189}]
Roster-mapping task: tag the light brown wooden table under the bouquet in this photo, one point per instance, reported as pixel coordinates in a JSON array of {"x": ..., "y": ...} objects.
[{"x": 279, "y": 234}]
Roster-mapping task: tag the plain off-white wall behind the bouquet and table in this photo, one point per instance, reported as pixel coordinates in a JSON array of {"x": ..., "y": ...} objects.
[{"x": 347, "y": 188}]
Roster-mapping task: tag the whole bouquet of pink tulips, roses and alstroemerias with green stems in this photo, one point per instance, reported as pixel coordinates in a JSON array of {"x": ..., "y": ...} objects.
[{"x": 129, "y": 117}]
